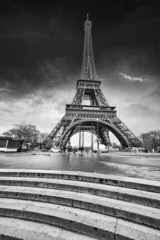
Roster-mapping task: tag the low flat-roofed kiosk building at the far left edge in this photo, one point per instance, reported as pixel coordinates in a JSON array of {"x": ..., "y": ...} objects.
[{"x": 8, "y": 144}]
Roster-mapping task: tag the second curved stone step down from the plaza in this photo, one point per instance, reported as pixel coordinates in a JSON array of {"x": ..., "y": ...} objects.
[{"x": 131, "y": 195}]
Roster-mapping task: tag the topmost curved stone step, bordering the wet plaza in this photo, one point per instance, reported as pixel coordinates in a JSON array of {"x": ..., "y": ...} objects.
[{"x": 127, "y": 182}]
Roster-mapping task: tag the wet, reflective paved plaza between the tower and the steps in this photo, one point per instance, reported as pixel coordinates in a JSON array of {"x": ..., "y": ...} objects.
[{"x": 139, "y": 165}]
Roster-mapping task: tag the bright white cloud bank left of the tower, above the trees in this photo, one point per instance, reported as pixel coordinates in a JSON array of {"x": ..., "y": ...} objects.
[{"x": 42, "y": 107}]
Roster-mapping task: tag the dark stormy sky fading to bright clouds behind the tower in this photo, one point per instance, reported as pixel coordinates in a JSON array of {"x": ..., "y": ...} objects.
[{"x": 41, "y": 48}]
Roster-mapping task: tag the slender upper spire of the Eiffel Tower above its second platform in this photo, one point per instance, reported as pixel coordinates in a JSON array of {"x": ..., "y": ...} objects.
[{"x": 88, "y": 66}]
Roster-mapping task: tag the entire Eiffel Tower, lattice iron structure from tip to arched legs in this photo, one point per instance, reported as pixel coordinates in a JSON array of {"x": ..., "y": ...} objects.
[{"x": 89, "y": 110}]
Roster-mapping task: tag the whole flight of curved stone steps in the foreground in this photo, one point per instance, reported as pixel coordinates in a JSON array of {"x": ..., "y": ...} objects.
[{"x": 36, "y": 204}]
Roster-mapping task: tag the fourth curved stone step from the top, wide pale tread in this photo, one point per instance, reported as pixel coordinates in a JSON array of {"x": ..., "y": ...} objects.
[{"x": 85, "y": 222}]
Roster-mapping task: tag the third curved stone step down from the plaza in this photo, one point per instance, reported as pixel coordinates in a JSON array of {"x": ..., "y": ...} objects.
[{"x": 129, "y": 211}]
